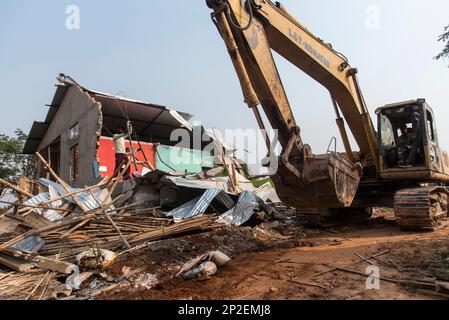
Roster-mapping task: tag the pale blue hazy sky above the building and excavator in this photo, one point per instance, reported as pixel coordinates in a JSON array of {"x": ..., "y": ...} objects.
[{"x": 169, "y": 52}]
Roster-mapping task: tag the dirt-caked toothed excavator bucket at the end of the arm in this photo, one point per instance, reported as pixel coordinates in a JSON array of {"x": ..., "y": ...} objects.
[{"x": 328, "y": 181}]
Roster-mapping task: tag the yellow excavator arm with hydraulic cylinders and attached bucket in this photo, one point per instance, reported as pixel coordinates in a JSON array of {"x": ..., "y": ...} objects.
[{"x": 250, "y": 30}]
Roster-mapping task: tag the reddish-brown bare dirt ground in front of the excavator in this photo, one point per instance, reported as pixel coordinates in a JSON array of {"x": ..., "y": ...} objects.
[{"x": 287, "y": 266}]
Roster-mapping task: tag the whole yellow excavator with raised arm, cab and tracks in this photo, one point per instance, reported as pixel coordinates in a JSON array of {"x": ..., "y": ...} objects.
[{"x": 399, "y": 165}]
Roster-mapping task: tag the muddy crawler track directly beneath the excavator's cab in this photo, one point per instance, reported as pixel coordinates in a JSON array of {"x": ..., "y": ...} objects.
[{"x": 421, "y": 208}]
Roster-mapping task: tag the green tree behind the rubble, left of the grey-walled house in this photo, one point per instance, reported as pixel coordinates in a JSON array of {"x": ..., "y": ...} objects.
[{"x": 14, "y": 164}]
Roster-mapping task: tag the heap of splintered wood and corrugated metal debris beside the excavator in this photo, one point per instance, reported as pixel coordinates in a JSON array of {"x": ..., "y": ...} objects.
[{"x": 53, "y": 243}]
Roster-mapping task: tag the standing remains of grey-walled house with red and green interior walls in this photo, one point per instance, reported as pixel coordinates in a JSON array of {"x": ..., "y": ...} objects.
[{"x": 76, "y": 136}]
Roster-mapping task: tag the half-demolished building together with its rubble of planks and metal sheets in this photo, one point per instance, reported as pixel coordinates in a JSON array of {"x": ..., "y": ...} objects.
[{"x": 80, "y": 217}]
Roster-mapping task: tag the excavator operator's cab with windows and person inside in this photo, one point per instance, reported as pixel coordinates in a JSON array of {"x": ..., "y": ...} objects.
[{"x": 408, "y": 142}]
